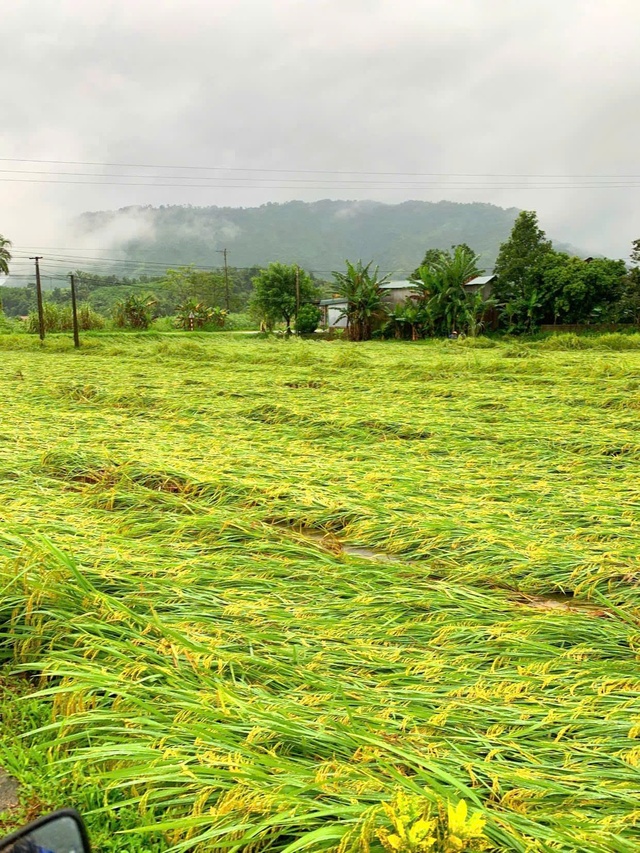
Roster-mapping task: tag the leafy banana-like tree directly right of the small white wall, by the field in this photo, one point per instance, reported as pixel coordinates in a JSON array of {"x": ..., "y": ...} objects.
[{"x": 363, "y": 292}]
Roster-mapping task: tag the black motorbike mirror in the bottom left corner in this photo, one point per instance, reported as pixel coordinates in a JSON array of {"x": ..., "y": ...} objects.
[{"x": 60, "y": 832}]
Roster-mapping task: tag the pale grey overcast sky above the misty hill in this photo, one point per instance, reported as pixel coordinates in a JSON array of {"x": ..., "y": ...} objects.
[{"x": 477, "y": 91}]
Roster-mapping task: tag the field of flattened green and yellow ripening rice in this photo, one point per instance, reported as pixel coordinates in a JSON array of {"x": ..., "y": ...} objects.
[{"x": 299, "y": 595}]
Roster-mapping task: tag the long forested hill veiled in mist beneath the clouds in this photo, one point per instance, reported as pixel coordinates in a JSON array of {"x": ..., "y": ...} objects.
[{"x": 317, "y": 235}]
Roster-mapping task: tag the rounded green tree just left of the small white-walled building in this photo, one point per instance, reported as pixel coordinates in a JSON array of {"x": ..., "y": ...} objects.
[{"x": 275, "y": 296}]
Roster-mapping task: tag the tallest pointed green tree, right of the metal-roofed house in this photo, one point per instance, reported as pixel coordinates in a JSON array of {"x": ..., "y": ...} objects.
[{"x": 518, "y": 266}]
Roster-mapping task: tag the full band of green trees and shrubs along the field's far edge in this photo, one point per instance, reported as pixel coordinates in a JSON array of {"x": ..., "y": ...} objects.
[{"x": 534, "y": 285}]
